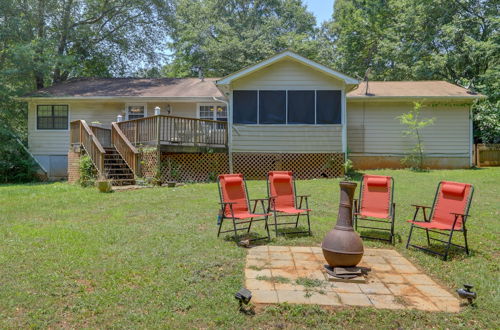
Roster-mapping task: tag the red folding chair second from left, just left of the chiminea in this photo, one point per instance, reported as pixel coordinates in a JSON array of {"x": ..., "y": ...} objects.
[{"x": 283, "y": 200}]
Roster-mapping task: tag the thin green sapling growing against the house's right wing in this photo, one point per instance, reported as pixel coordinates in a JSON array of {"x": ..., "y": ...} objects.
[{"x": 413, "y": 129}]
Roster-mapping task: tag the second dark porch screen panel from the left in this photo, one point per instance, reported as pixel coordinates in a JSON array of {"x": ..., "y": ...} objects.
[{"x": 272, "y": 107}]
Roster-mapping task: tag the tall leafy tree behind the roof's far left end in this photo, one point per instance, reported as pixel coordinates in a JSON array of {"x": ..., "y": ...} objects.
[{"x": 49, "y": 41}]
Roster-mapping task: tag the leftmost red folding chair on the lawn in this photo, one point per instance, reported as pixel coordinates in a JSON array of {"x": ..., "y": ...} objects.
[{"x": 235, "y": 205}]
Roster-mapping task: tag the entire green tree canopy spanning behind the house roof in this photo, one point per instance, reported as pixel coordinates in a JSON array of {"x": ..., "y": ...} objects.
[{"x": 43, "y": 42}]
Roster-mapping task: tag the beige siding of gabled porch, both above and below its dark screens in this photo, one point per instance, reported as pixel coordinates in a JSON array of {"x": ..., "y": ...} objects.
[{"x": 287, "y": 75}]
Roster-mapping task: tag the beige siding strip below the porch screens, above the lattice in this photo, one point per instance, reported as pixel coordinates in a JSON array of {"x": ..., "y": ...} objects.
[{"x": 287, "y": 139}]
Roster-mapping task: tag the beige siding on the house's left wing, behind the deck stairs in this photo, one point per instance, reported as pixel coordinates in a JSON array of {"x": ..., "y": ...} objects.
[{"x": 56, "y": 142}]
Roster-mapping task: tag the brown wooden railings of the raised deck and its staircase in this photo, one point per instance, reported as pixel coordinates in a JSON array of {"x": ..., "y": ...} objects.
[{"x": 167, "y": 134}]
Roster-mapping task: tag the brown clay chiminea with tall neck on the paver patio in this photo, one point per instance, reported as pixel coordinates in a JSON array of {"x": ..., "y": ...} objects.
[{"x": 342, "y": 246}]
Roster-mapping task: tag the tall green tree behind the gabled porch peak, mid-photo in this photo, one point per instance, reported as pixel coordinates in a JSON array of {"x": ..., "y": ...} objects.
[{"x": 222, "y": 36}]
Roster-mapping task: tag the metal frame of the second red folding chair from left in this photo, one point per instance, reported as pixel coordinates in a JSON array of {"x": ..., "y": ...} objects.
[{"x": 277, "y": 214}]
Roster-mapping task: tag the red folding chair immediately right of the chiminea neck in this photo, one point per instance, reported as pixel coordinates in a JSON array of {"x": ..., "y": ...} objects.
[{"x": 376, "y": 204}]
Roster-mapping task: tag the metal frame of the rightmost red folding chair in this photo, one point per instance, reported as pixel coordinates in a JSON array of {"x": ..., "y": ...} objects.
[{"x": 450, "y": 231}]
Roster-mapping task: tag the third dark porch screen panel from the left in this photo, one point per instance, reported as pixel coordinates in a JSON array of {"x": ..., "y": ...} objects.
[{"x": 300, "y": 107}]
